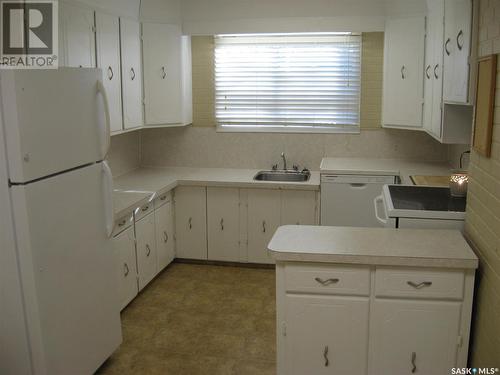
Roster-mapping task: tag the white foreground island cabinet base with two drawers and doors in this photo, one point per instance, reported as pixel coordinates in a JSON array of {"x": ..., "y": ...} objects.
[{"x": 385, "y": 320}]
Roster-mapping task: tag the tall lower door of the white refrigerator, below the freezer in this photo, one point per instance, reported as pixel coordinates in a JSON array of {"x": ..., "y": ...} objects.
[{"x": 68, "y": 271}]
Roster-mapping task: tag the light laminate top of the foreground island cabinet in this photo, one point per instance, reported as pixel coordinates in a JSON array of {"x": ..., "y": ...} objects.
[{"x": 373, "y": 246}]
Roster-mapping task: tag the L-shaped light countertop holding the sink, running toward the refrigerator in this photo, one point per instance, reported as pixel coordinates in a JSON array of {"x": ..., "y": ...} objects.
[{"x": 143, "y": 184}]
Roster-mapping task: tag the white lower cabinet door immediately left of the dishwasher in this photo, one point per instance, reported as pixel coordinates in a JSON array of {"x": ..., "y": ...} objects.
[{"x": 298, "y": 207}]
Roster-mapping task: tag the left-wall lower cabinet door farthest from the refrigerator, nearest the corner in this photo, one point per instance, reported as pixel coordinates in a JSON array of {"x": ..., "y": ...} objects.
[{"x": 164, "y": 222}]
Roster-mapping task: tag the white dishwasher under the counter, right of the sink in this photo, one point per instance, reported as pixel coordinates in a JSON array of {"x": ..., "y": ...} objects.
[{"x": 347, "y": 200}]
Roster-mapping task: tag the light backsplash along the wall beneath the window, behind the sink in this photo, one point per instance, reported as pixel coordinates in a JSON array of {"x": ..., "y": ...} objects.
[{"x": 205, "y": 147}]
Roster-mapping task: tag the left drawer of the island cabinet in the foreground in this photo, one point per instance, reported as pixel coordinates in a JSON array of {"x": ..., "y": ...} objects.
[{"x": 342, "y": 280}]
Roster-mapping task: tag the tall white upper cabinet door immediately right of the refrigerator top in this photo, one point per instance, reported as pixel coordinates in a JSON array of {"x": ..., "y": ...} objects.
[{"x": 108, "y": 59}]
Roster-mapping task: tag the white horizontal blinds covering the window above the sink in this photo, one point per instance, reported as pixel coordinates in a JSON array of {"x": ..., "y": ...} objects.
[{"x": 288, "y": 82}]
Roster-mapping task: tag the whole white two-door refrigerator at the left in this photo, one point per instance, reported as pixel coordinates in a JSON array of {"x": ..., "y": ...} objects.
[{"x": 55, "y": 139}]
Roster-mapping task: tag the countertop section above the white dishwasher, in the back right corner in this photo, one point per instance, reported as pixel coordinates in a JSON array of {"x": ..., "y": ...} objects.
[{"x": 384, "y": 167}]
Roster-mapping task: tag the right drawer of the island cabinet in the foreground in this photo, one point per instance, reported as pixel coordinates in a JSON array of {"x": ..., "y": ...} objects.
[{"x": 415, "y": 283}]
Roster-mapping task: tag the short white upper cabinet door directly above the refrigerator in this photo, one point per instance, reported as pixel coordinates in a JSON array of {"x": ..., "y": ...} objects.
[{"x": 77, "y": 38}]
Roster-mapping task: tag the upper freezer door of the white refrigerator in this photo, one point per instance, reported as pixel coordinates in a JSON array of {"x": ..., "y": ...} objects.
[{"x": 55, "y": 120}]
